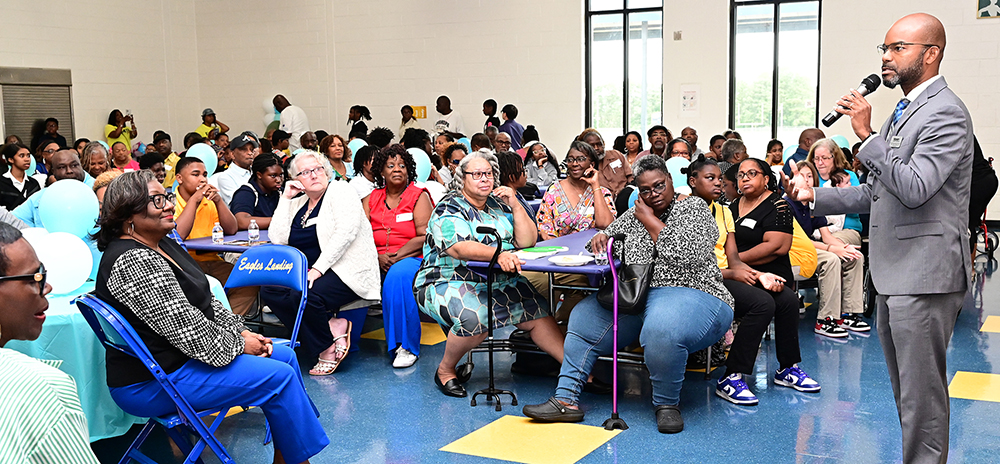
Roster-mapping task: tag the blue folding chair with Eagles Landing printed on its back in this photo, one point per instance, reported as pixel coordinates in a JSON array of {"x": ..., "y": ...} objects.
[{"x": 275, "y": 266}]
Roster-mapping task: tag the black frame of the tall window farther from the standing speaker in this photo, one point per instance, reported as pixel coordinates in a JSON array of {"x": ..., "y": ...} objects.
[{"x": 625, "y": 11}]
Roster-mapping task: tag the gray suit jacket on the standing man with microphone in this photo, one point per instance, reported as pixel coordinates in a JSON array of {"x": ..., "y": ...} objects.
[{"x": 918, "y": 195}]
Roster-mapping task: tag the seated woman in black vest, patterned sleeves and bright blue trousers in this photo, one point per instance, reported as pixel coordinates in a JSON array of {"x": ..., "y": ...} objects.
[{"x": 205, "y": 350}]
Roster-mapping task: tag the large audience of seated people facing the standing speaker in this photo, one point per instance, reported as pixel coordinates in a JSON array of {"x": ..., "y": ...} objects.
[{"x": 372, "y": 227}]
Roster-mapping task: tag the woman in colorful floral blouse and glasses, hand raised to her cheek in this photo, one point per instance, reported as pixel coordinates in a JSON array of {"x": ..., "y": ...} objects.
[{"x": 571, "y": 205}]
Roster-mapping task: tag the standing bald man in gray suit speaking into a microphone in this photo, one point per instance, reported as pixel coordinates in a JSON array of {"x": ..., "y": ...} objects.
[{"x": 920, "y": 164}]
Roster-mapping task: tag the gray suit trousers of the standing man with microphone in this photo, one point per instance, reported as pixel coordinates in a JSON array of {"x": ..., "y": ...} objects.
[{"x": 914, "y": 331}]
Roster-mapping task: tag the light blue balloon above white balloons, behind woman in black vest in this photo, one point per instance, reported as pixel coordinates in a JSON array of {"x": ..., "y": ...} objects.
[{"x": 68, "y": 206}]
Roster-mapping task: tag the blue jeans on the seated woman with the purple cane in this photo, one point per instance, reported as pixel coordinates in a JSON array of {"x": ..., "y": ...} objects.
[{"x": 676, "y": 321}]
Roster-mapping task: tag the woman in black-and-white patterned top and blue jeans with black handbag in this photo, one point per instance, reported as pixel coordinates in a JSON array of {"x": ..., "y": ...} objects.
[{"x": 687, "y": 307}]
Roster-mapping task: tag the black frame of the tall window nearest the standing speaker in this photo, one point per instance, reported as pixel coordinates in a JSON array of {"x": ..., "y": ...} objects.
[{"x": 776, "y": 20}]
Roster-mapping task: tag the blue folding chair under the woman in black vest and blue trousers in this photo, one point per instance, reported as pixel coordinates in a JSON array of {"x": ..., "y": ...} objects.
[{"x": 116, "y": 333}]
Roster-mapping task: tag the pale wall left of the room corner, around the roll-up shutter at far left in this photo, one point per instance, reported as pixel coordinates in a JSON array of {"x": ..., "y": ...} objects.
[{"x": 129, "y": 55}]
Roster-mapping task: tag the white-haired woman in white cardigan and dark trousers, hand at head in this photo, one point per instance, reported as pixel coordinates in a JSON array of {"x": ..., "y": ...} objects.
[{"x": 332, "y": 231}]
